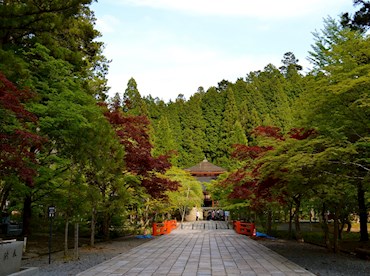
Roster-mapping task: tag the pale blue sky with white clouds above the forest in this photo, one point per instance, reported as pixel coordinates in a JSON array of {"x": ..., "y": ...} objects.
[{"x": 173, "y": 47}]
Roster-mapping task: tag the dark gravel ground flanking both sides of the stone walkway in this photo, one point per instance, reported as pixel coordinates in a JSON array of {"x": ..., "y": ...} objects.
[{"x": 314, "y": 258}]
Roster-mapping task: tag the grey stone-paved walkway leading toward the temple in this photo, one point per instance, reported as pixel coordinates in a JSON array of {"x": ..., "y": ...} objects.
[{"x": 198, "y": 249}]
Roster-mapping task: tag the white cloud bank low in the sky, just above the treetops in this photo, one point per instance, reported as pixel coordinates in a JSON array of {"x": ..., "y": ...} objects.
[{"x": 188, "y": 70}]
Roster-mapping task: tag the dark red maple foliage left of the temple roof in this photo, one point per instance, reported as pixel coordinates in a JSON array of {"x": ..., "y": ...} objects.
[{"x": 133, "y": 132}]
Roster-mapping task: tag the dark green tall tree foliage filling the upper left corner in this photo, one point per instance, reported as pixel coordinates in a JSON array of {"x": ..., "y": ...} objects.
[{"x": 66, "y": 28}]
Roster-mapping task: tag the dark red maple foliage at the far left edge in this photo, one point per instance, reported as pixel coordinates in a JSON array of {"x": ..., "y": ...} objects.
[{"x": 18, "y": 147}]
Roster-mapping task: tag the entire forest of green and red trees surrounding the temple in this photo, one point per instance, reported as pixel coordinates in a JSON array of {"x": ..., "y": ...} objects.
[{"x": 291, "y": 141}]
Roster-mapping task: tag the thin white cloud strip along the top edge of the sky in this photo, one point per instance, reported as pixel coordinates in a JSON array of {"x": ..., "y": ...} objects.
[{"x": 271, "y": 9}]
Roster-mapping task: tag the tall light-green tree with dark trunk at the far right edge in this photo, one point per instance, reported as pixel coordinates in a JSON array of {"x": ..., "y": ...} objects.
[{"x": 337, "y": 102}]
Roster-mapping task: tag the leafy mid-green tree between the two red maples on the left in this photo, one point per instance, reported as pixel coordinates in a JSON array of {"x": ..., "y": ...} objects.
[{"x": 66, "y": 115}]
